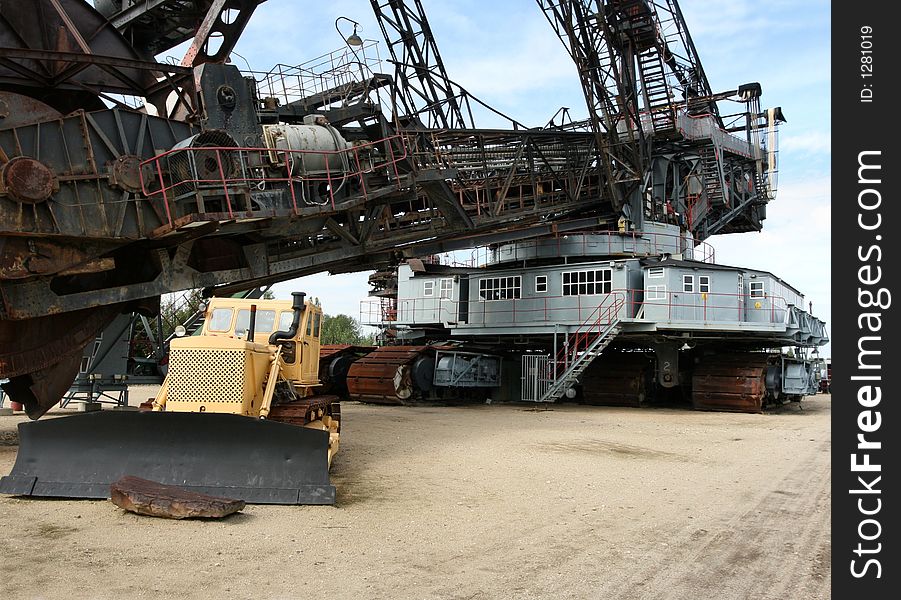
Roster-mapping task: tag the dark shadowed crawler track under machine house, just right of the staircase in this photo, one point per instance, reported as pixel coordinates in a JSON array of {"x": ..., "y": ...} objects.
[{"x": 618, "y": 379}]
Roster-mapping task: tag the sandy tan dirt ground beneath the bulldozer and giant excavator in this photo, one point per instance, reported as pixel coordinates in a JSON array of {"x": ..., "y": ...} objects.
[{"x": 477, "y": 502}]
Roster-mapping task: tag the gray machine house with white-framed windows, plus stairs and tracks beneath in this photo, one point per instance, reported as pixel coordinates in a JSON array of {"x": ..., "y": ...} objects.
[{"x": 611, "y": 317}]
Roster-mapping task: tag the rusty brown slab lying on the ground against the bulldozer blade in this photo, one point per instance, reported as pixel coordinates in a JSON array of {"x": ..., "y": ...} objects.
[{"x": 153, "y": 499}]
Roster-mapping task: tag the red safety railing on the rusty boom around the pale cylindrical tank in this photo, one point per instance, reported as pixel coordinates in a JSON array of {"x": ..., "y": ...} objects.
[{"x": 226, "y": 171}]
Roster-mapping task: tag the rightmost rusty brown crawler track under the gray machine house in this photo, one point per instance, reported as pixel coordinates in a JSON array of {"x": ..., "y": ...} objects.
[{"x": 730, "y": 382}]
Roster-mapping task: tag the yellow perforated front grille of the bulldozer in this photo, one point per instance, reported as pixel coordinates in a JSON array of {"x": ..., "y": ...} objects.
[{"x": 206, "y": 376}]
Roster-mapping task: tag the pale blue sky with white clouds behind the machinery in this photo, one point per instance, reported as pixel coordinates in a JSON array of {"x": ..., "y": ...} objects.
[{"x": 505, "y": 53}]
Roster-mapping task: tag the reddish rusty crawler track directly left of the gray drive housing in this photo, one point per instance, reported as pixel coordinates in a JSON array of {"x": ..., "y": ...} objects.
[{"x": 384, "y": 376}]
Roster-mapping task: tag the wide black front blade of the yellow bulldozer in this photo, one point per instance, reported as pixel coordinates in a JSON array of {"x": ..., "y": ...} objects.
[{"x": 260, "y": 462}]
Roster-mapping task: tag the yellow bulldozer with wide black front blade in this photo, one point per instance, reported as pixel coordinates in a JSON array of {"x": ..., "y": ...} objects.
[{"x": 237, "y": 416}]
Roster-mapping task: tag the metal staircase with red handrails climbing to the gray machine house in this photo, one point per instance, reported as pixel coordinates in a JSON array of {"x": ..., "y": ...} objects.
[{"x": 583, "y": 346}]
